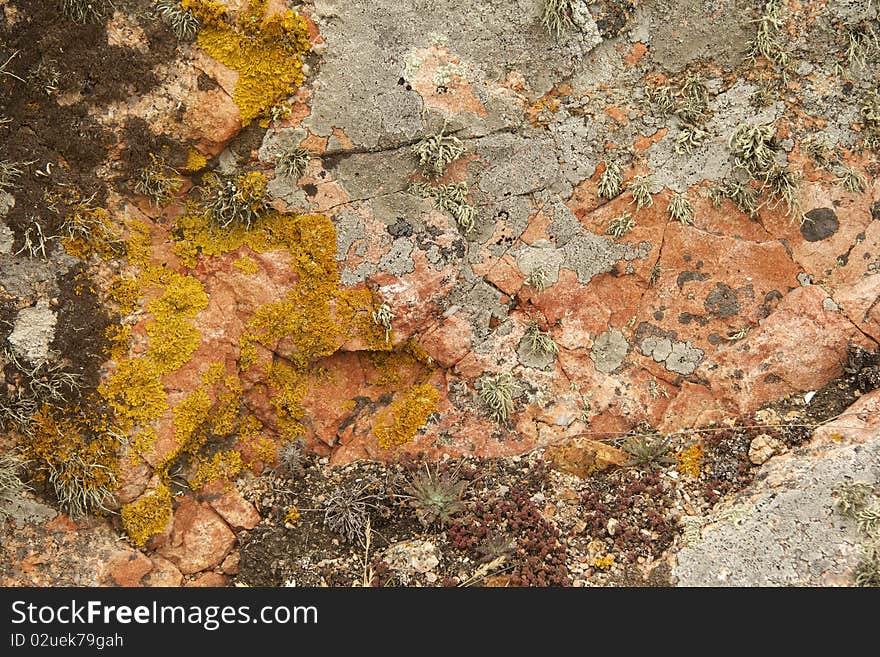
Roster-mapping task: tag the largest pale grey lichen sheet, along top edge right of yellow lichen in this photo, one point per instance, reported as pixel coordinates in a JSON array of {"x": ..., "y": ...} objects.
[{"x": 377, "y": 48}]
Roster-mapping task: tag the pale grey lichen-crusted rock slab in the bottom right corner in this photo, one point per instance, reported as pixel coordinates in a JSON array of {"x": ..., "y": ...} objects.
[{"x": 784, "y": 529}]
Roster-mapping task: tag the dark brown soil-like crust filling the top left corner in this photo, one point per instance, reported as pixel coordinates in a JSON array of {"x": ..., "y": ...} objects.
[{"x": 61, "y": 71}]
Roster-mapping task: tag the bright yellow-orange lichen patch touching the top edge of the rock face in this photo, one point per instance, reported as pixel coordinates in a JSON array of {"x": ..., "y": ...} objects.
[{"x": 265, "y": 51}]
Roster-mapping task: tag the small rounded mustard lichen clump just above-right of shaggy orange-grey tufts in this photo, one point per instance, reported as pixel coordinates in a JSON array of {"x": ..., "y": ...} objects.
[{"x": 135, "y": 393}]
